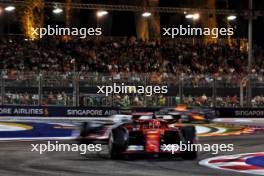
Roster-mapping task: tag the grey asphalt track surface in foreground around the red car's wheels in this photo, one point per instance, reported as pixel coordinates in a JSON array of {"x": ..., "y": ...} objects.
[{"x": 17, "y": 159}]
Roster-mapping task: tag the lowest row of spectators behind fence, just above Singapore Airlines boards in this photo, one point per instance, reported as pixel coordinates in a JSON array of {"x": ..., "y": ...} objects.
[{"x": 63, "y": 99}]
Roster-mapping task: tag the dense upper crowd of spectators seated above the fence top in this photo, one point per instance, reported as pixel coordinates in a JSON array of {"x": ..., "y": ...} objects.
[{"x": 126, "y": 55}]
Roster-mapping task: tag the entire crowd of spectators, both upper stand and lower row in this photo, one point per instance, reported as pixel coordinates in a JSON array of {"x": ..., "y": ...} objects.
[{"x": 166, "y": 62}]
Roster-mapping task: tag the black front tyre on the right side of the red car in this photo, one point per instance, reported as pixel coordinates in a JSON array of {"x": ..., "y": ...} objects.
[{"x": 189, "y": 134}]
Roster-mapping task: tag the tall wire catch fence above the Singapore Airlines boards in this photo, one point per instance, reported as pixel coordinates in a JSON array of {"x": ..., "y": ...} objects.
[{"x": 80, "y": 89}]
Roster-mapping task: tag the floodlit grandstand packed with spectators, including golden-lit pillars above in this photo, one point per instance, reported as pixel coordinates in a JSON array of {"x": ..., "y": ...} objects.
[{"x": 65, "y": 70}]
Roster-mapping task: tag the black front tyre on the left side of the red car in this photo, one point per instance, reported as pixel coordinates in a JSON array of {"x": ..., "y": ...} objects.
[{"x": 118, "y": 142}]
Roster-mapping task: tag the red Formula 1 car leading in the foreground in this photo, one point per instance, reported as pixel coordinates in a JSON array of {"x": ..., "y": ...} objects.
[{"x": 149, "y": 136}]
